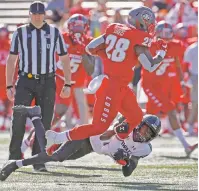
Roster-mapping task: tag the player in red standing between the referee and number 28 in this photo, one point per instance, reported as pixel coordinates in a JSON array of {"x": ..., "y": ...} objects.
[{"x": 75, "y": 41}]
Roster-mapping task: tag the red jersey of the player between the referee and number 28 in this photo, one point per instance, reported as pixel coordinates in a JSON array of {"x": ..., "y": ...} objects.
[{"x": 75, "y": 54}]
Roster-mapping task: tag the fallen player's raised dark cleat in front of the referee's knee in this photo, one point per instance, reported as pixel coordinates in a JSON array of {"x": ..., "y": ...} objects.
[{"x": 31, "y": 112}]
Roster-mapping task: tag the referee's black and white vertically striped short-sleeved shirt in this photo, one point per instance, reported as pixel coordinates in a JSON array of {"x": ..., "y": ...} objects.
[{"x": 37, "y": 47}]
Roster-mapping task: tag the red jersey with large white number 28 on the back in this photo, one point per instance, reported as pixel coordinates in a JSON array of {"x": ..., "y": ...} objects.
[{"x": 119, "y": 46}]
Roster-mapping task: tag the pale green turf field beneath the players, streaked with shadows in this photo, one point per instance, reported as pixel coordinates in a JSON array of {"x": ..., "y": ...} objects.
[{"x": 166, "y": 169}]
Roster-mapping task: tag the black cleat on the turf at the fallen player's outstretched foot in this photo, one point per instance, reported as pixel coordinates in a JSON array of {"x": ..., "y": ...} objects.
[{"x": 8, "y": 168}]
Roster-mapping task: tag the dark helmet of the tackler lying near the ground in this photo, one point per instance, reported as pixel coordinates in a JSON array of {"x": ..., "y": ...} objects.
[{"x": 148, "y": 129}]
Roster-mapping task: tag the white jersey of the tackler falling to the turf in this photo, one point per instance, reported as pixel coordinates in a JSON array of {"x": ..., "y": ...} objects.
[{"x": 133, "y": 148}]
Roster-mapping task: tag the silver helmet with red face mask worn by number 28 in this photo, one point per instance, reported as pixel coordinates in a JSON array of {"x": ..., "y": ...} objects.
[{"x": 142, "y": 18}]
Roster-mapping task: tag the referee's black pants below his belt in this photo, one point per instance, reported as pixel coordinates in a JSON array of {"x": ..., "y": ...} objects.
[{"x": 26, "y": 90}]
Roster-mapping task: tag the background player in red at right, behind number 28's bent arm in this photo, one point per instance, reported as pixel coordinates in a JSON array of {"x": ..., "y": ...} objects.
[{"x": 163, "y": 86}]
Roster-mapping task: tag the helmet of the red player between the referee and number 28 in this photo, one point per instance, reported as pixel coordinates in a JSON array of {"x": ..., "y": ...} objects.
[{"x": 78, "y": 23}]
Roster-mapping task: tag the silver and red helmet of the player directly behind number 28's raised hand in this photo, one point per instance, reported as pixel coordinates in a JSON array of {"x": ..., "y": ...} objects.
[{"x": 164, "y": 30}]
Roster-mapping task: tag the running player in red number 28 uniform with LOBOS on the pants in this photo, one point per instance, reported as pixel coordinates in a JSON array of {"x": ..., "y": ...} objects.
[{"x": 122, "y": 46}]
